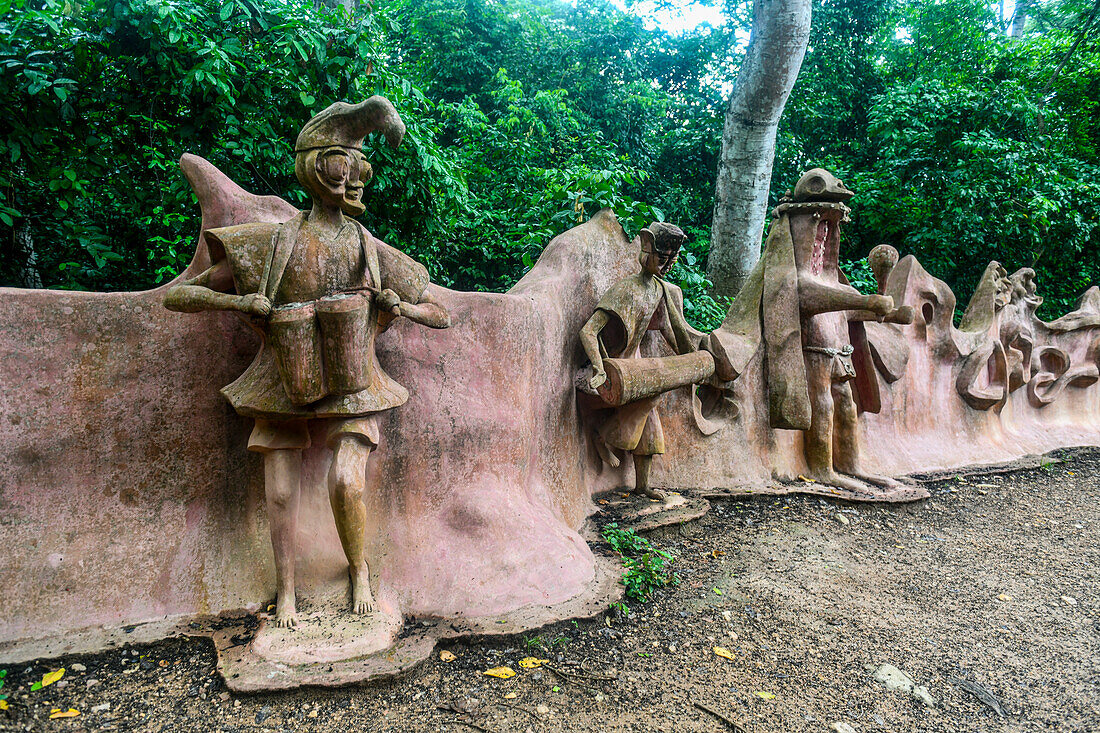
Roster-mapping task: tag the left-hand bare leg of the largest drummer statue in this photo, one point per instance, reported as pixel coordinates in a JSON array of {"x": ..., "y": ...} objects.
[{"x": 282, "y": 491}]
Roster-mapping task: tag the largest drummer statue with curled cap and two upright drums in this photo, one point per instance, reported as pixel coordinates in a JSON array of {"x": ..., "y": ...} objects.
[{"x": 318, "y": 288}]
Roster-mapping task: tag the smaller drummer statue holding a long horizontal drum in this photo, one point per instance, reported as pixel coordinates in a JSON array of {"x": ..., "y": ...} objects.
[{"x": 626, "y": 382}]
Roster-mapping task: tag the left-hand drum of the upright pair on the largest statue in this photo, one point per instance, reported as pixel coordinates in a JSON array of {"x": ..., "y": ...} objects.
[{"x": 293, "y": 334}]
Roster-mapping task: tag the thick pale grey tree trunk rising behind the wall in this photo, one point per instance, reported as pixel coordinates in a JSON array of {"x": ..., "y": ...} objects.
[{"x": 780, "y": 32}]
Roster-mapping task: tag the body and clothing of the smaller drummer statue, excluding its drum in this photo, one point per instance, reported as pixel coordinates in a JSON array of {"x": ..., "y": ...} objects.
[{"x": 631, "y": 308}]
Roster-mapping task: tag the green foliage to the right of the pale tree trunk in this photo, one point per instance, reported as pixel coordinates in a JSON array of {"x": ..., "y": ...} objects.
[{"x": 958, "y": 150}]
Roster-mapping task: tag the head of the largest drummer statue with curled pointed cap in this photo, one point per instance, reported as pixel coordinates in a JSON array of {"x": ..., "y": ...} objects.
[{"x": 329, "y": 160}]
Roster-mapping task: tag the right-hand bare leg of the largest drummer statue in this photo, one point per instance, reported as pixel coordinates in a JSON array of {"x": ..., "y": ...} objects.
[{"x": 347, "y": 483}]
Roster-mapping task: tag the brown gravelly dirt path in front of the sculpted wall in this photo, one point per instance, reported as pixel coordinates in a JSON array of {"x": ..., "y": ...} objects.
[{"x": 995, "y": 581}]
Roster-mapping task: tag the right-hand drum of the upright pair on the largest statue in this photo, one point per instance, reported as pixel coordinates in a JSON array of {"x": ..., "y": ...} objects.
[{"x": 347, "y": 341}]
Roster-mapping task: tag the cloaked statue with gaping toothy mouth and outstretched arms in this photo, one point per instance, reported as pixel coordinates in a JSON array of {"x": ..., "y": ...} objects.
[{"x": 801, "y": 309}]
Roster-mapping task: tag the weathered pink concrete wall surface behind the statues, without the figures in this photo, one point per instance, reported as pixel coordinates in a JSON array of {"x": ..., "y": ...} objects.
[{"x": 127, "y": 494}]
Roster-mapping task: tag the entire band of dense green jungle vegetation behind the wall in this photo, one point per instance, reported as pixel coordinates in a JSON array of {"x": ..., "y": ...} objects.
[{"x": 966, "y": 137}]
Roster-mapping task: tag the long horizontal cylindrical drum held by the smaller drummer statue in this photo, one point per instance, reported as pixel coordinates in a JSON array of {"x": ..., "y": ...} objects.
[{"x": 630, "y": 380}]
